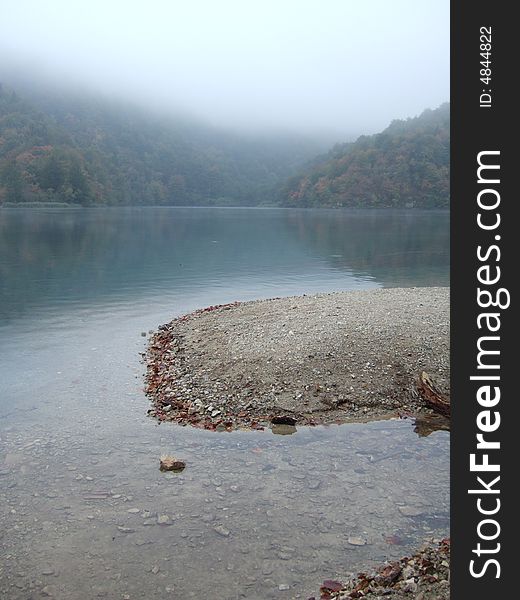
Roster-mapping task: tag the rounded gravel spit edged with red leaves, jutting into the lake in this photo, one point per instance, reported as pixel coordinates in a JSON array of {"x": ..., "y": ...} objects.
[{"x": 303, "y": 360}]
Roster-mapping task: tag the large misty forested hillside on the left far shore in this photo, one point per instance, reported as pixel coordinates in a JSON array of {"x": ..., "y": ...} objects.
[{"x": 86, "y": 151}]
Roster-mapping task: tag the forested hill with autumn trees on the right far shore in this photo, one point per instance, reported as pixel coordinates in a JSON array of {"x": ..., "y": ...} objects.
[{"x": 407, "y": 165}]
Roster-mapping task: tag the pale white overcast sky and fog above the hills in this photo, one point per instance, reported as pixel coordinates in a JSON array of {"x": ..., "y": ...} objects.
[{"x": 339, "y": 66}]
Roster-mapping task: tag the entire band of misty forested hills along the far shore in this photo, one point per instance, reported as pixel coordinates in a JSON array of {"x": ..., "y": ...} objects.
[{"x": 87, "y": 150}]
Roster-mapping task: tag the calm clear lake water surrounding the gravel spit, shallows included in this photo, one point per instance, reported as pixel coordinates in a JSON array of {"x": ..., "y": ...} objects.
[{"x": 83, "y": 505}]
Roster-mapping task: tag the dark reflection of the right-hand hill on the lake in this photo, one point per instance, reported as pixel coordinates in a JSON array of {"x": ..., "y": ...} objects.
[{"x": 398, "y": 248}]
